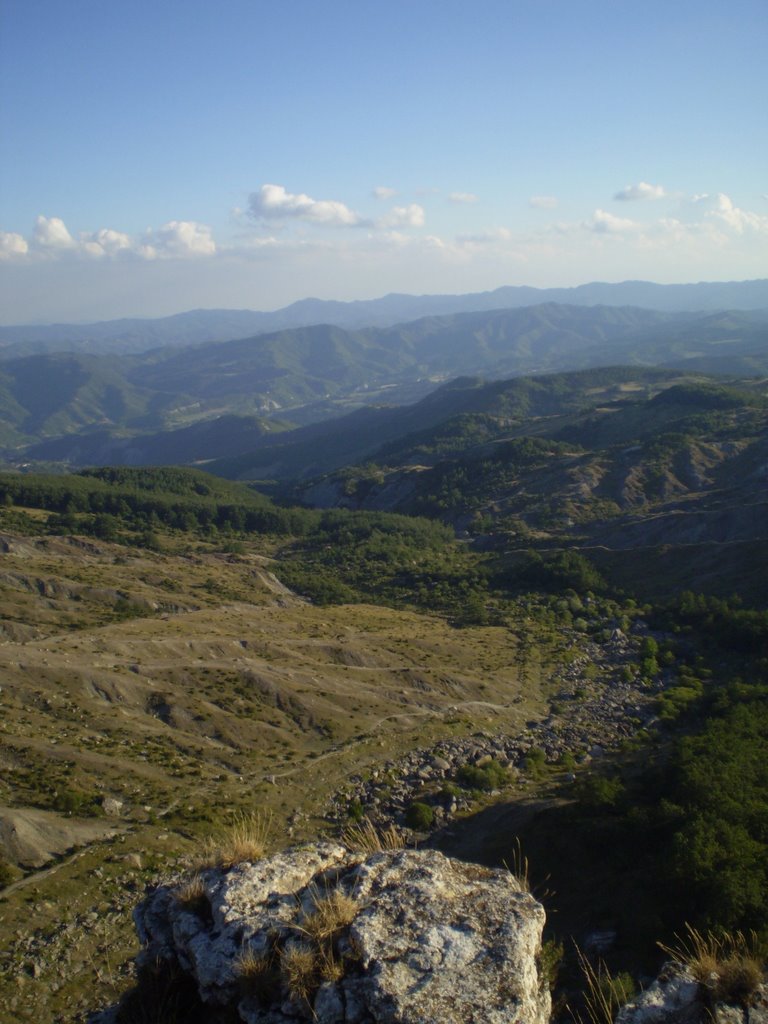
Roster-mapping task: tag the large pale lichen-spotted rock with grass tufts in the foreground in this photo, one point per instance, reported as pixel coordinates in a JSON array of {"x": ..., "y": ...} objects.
[{"x": 319, "y": 933}]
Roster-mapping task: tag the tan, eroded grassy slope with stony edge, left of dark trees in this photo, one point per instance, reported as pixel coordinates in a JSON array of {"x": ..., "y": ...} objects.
[{"x": 149, "y": 698}]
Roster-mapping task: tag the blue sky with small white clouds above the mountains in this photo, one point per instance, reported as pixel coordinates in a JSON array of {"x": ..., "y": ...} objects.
[{"x": 158, "y": 157}]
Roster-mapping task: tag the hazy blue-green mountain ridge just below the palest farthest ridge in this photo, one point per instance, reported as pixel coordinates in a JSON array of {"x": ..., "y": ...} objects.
[{"x": 86, "y": 409}]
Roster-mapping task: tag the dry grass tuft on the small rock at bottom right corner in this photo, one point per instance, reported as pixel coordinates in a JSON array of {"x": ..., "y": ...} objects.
[{"x": 731, "y": 965}]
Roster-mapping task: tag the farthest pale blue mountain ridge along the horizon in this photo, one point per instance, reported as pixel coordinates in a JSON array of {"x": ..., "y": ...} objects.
[{"x": 201, "y": 326}]
